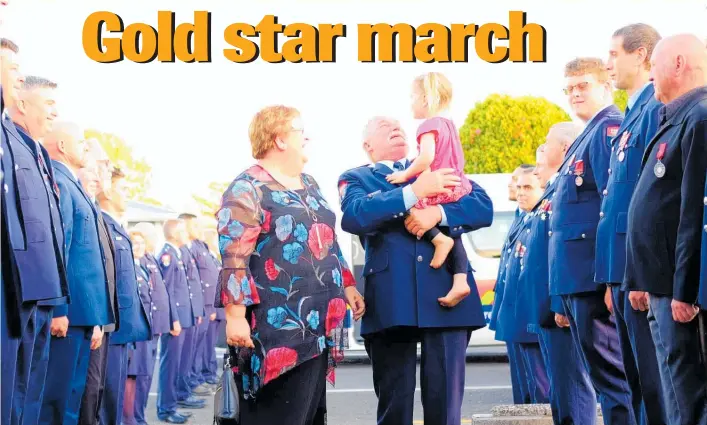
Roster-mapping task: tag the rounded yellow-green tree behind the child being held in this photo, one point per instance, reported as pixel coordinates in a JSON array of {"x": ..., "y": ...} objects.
[{"x": 503, "y": 131}]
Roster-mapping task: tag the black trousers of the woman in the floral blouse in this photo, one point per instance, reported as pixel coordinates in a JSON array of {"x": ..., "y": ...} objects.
[{"x": 297, "y": 397}]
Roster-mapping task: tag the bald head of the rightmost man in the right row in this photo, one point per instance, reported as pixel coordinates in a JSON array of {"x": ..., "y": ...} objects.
[{"x": 678, "y": 65}]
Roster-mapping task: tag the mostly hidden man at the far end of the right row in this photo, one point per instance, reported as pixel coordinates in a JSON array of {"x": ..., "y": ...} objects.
[{"x": 521, "y": 391}]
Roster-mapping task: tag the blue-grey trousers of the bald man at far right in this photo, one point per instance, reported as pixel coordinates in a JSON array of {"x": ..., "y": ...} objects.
[{"x": 681, "y": 371}]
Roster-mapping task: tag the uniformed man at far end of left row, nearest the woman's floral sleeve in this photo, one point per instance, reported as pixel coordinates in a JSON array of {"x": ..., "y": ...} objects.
[{"x": 207, "y": 271}]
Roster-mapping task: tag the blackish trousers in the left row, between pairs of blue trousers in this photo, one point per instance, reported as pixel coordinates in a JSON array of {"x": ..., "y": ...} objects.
[{"x": 95, "y": 384}]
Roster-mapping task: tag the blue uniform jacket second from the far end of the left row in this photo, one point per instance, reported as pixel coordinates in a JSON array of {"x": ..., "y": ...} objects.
[{"x": 175, "y": 279}]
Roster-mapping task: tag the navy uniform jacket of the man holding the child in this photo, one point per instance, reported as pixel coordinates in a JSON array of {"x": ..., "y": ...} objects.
[{"x": 401, "y": 288}]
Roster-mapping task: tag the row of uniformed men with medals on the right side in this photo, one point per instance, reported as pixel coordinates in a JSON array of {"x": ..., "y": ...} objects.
[{"x": 602, "y": 276}]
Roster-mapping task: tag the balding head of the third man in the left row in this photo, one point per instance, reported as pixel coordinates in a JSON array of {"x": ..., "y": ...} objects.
[{"x": 65, "y": 143}]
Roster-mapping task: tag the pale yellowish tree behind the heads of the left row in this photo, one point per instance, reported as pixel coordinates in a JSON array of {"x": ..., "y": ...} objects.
[{"x": 137, "y": 170}]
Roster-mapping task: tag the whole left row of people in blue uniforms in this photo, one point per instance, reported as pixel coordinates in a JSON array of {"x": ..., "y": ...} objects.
[{"x": 78, "y": 311}]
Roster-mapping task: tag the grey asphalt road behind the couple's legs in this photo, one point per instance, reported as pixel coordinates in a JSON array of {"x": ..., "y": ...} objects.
[{"x": 353, "y": 402}]
